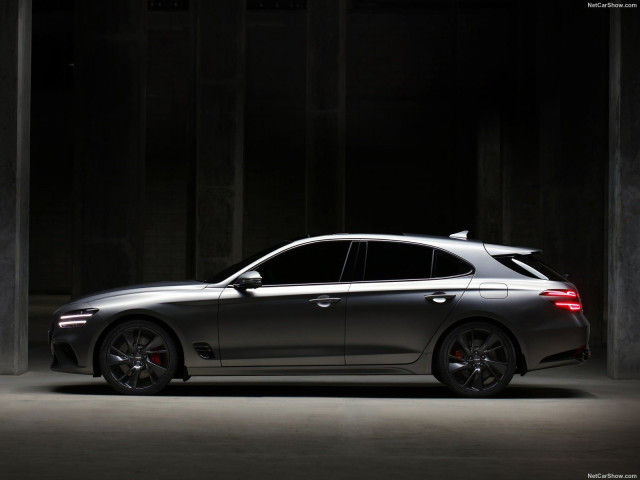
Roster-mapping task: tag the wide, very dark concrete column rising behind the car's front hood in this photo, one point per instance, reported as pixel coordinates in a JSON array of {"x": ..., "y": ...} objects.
[{"x": 109, "y": 148}]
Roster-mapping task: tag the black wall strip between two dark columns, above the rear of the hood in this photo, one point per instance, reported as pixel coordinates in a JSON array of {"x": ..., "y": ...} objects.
[{"x": 169, "y": 139}]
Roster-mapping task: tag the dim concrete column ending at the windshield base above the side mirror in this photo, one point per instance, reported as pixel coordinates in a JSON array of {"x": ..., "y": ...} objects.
[{"x": 219, "y": 134}]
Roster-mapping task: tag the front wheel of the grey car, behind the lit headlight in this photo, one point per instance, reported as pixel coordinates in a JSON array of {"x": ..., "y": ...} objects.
[{"x": 138, "y": 357}]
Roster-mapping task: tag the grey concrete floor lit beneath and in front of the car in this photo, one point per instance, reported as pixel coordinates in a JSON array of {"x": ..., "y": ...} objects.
[{"x": 563, "y": 423}]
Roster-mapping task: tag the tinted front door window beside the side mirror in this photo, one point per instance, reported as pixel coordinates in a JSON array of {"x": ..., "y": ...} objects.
[{"x": 320, "y": 262}]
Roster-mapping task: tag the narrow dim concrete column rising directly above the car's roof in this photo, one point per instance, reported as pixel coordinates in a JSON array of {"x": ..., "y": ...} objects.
[{"x": 325, "y": 142}]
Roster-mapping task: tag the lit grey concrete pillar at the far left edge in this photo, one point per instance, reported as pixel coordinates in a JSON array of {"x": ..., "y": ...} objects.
[{"x": 15, "y": 91}]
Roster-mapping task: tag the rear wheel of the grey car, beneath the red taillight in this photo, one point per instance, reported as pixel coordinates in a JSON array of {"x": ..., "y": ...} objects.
[{"x": 476, "y": 359}]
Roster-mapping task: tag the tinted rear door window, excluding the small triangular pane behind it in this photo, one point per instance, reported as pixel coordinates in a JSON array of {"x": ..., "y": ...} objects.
[{"x": 397, "y": 261}]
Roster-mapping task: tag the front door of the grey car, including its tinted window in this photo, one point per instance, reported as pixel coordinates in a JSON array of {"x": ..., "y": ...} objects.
[{"x": 296, "y": 318}]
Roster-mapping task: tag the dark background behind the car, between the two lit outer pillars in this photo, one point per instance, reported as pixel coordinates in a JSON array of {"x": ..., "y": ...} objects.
[{"x": 171, "y": 138}]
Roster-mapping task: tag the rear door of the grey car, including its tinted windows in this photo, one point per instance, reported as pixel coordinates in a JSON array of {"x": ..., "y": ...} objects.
[{"x": 402, "y": 294}]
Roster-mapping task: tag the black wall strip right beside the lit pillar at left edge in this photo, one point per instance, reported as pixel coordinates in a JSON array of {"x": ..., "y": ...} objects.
[{"x": 51, "y": 212}]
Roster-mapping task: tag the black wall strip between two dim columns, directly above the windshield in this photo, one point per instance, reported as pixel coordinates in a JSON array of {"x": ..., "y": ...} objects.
[{"x": 274, "y": 154}]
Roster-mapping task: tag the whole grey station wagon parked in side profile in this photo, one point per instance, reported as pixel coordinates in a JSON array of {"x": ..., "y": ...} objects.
[{"x": 471, "y": 314}]
